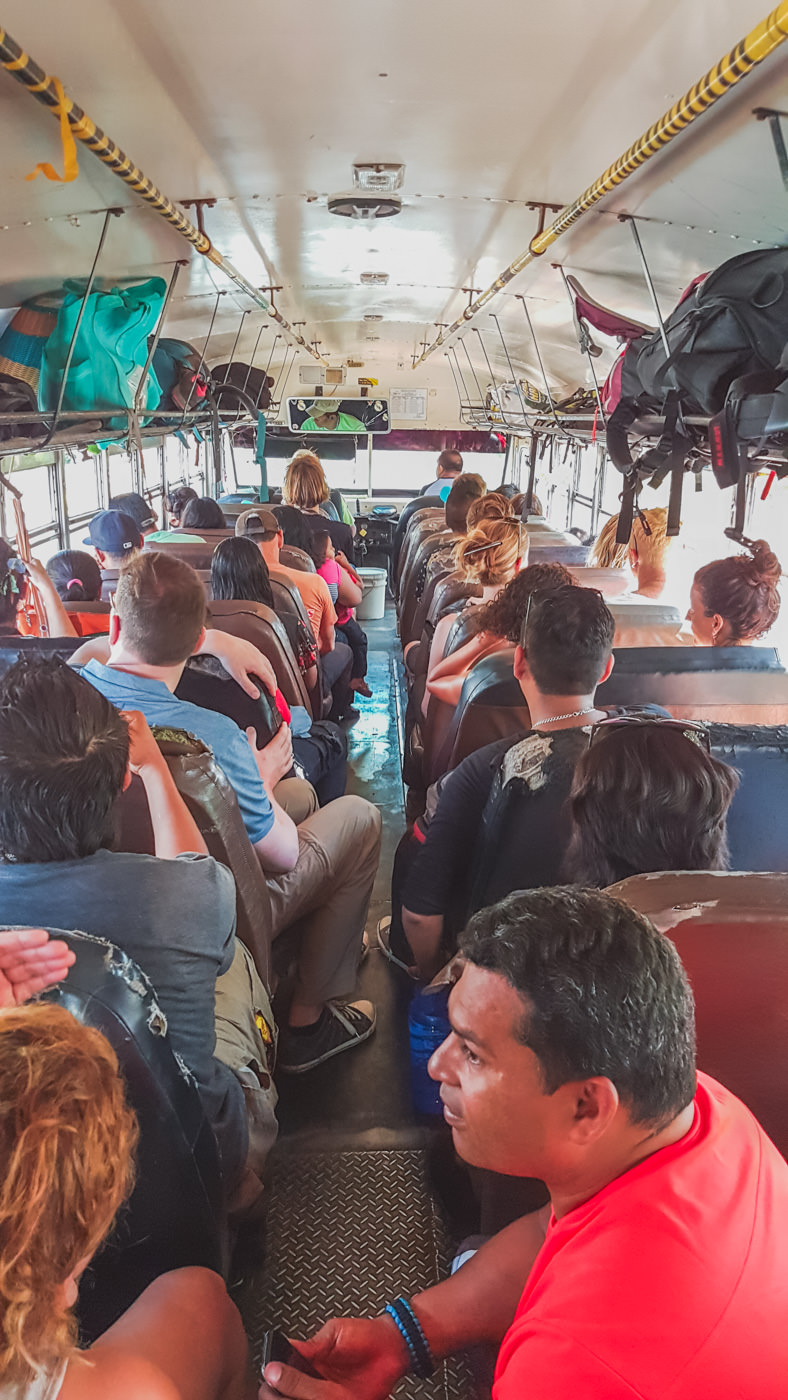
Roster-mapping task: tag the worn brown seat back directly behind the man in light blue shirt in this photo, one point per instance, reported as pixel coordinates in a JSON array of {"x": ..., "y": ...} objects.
[{"x": 213, "y": 806}]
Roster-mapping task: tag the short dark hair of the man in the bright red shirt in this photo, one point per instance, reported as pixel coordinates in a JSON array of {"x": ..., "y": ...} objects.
[{"x": 604, "y": 995}]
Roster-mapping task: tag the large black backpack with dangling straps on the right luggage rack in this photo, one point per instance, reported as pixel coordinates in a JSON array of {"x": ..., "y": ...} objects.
[{"x": 730, "y": 327}]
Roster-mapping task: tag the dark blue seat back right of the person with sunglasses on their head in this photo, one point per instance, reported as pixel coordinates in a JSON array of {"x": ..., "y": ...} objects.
[{"x": 758, "y": 839}]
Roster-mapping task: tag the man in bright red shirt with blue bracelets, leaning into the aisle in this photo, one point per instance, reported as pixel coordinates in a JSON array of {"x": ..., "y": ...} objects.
[{"x": 661, "y": 1270}]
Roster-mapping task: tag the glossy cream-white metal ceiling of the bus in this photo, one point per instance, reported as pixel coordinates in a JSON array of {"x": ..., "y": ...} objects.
[{"x": 488, "y": 114}]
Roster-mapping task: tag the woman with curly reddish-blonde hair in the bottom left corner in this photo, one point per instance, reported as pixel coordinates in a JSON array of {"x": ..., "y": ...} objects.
[{"x": 68, "y": 1140}]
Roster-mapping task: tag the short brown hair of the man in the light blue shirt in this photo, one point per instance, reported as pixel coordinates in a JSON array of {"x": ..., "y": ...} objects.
[{"x": 162, "y": 605}]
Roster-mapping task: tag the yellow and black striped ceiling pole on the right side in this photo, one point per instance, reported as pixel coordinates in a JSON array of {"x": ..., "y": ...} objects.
[{"x": 726, "y": 75}]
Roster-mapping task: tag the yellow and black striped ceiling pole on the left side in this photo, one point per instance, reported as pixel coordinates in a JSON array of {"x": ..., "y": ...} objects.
[{"x": 50, "y": 92}]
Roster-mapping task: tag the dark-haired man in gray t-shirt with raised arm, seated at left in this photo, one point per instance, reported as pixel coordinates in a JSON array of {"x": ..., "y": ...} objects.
[{"x": 65, "y": 757}]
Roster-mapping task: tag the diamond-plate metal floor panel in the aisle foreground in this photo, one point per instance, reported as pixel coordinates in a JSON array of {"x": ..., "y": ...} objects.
[{"x": 348, "y": 1231}]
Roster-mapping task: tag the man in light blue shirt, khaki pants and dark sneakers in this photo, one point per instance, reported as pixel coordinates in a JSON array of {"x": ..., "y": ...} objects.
[{"x": 320, "y": 873}]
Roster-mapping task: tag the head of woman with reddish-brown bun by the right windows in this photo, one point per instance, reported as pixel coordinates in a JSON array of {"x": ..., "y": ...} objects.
[{"x": 736, "y": 601}]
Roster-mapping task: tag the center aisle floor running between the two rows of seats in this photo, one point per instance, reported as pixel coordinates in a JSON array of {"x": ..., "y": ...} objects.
[{"x": 352, "y": 1221}]
